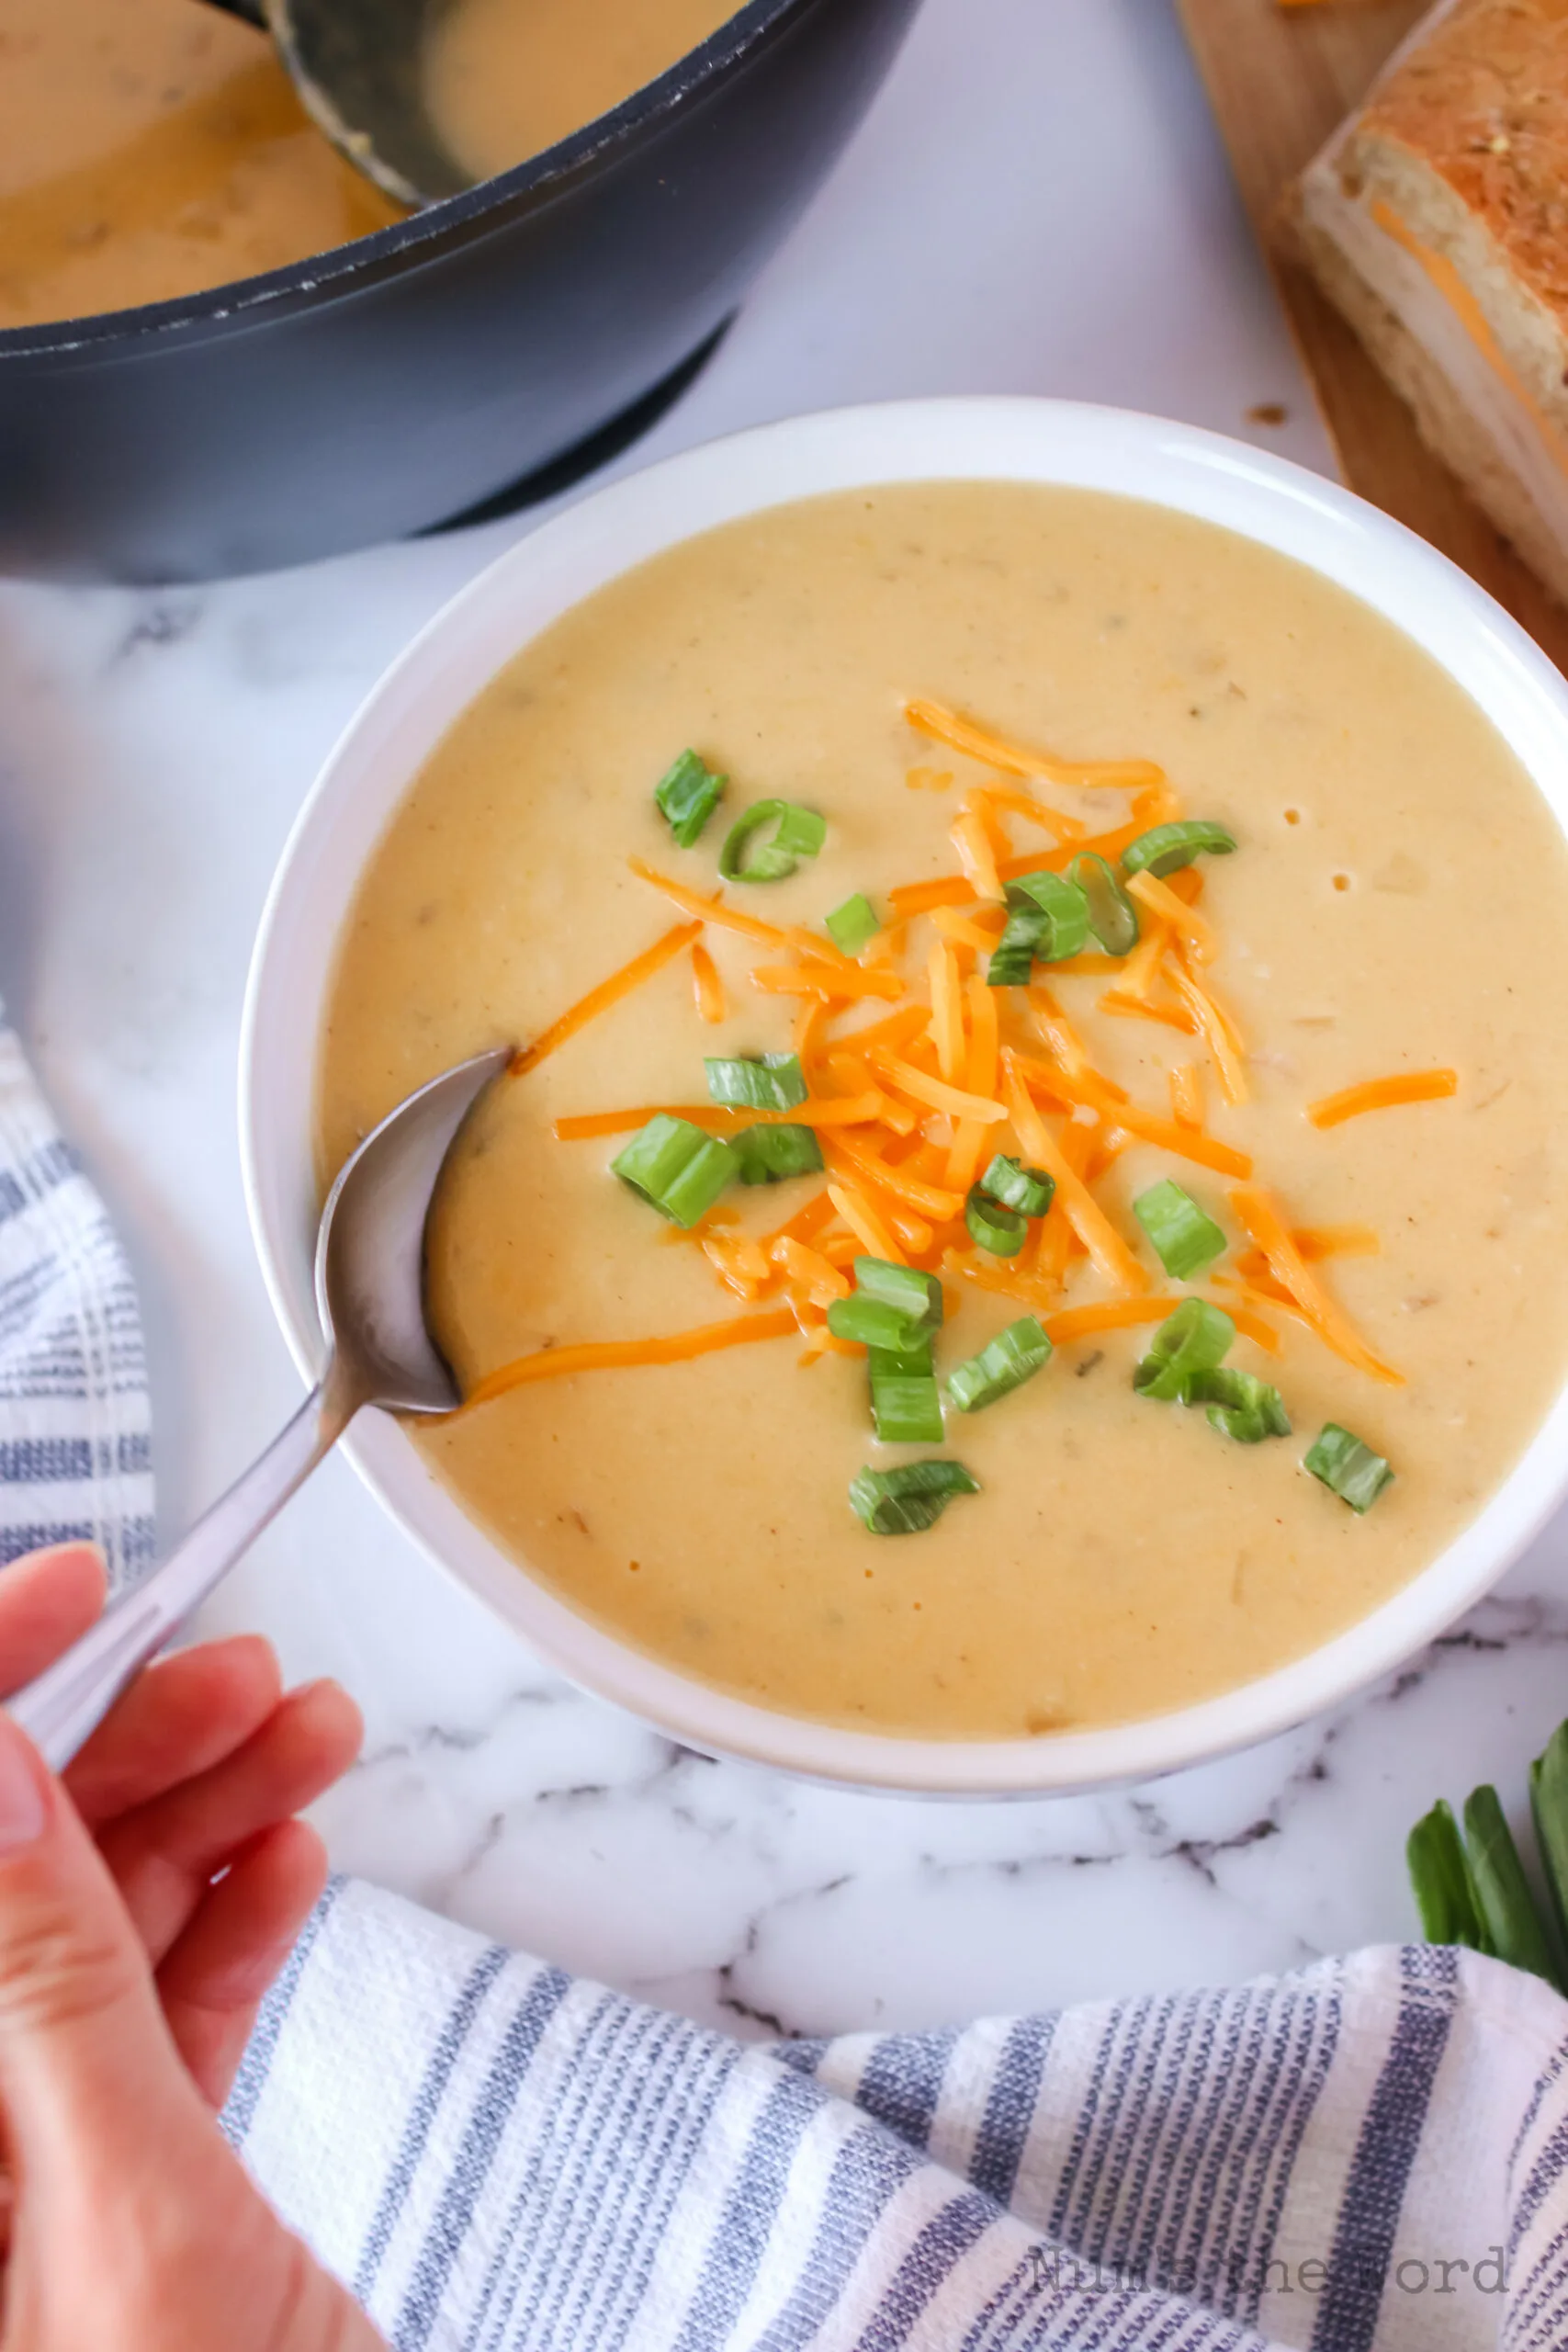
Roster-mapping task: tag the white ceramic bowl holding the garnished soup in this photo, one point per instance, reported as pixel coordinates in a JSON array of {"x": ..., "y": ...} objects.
[{"x": 1028, "y": 441}]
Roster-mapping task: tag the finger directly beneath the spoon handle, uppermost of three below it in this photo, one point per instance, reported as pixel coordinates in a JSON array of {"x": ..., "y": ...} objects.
[{"x": 177, "y": 1720}]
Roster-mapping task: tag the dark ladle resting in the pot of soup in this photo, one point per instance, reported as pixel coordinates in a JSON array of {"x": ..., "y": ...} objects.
[{"x": 356, "y": 67}]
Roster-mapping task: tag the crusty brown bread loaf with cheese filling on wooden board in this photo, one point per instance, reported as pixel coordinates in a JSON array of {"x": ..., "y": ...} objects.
[{"x": 1438, "y": 220}]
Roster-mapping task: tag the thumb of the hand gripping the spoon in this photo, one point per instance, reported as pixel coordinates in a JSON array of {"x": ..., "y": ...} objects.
[{"x": 86, "y": 2062}]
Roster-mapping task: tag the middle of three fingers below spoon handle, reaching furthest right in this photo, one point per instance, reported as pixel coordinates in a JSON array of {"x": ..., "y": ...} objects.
[{"x": 166, "y": 1852}]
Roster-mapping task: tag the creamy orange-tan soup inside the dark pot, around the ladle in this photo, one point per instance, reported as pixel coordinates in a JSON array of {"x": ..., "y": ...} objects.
[{"x": 154, "y": 149}]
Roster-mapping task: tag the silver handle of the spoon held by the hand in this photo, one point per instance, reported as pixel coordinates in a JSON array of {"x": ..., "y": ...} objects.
[{"x": 72, "y": 1697}]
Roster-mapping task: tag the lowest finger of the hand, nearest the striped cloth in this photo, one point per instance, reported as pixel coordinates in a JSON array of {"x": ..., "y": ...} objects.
[{"x": 225, "y": 1960}]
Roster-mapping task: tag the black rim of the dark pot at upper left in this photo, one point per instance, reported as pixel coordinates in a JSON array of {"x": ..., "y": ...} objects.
[{"x": 434, "y": 229}]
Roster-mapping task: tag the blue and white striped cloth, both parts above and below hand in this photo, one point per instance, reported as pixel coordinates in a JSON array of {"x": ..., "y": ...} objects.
[{"x": 1365, "y": 2158}]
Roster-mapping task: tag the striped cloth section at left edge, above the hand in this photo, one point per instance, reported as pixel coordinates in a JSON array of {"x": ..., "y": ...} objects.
[{"x": 74, "y": 1396}]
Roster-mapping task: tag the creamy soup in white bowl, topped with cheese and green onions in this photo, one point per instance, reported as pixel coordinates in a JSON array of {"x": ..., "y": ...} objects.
[{"x": 1313, "y": 1109}]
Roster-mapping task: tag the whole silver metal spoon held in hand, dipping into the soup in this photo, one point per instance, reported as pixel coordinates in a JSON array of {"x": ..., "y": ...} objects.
[{"x": 370, "y": 1288}]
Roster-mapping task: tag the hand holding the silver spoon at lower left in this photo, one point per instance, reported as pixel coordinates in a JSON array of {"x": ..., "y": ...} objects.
[{"x": 145, "y": 1906}]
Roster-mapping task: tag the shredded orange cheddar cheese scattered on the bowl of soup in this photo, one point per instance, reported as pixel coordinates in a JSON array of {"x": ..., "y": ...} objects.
[{"x": 911, "y": 1104}]
